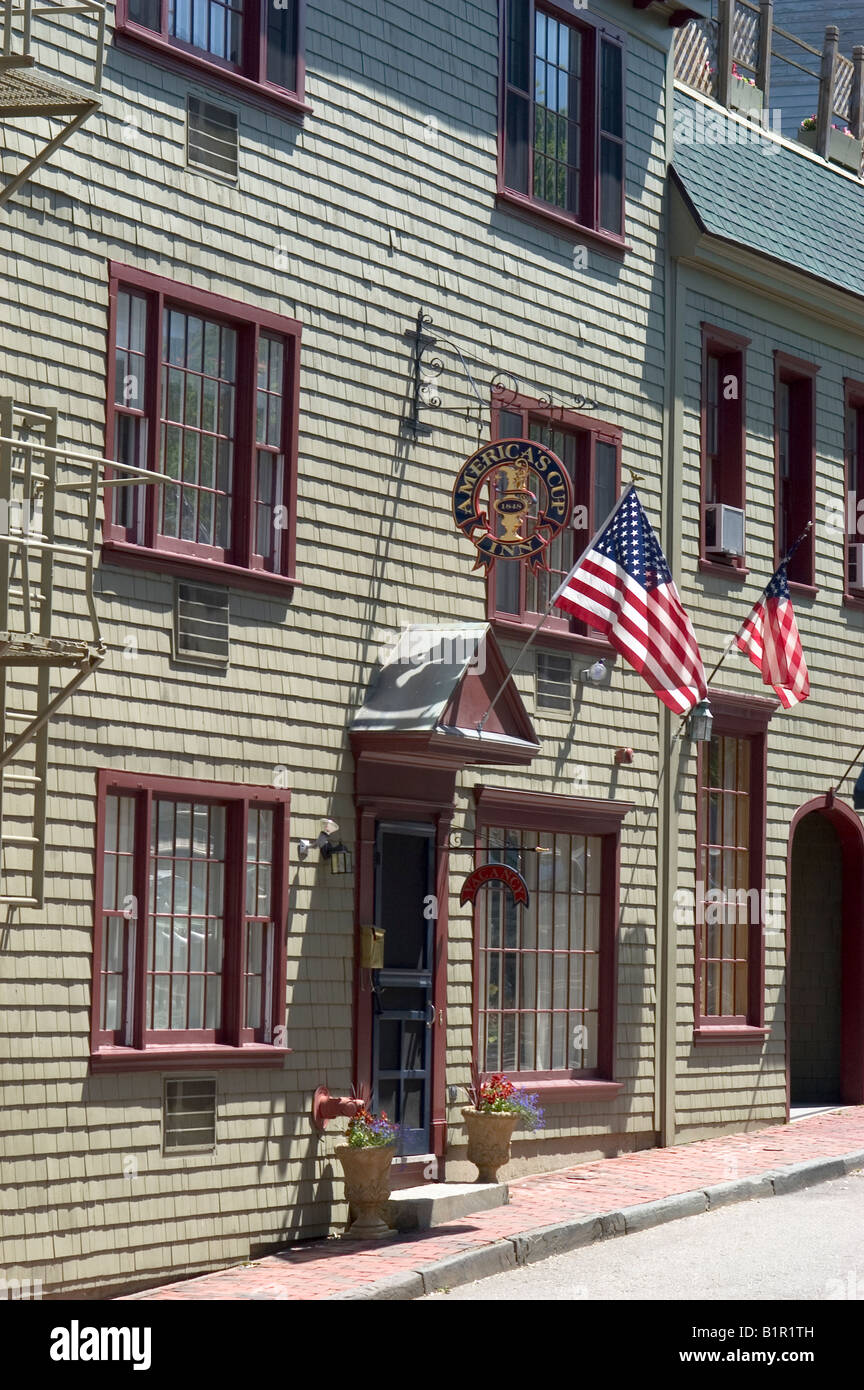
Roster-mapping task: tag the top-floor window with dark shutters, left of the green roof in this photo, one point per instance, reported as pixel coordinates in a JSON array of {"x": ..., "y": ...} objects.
[{"x": 563, "y": 116}]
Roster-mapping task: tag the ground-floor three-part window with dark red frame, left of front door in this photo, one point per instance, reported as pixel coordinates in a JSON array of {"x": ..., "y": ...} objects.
[{"x": 191, "y": 915}]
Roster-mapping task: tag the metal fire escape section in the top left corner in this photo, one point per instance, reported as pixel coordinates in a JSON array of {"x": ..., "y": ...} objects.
[{"x": 28, "y": 95}]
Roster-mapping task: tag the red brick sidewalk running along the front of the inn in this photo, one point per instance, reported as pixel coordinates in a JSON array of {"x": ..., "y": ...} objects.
[{"x": 333, "y": 1268}]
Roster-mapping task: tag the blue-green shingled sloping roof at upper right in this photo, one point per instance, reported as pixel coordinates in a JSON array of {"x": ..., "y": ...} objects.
[{"x": 770, "y": 198}]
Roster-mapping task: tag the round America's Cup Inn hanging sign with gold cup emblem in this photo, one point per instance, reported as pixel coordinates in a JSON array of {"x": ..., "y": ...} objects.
[{"x": 530, "y": 494}]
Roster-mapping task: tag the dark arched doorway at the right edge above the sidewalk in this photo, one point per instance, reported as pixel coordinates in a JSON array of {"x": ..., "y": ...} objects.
[{"x": 826, "y": 956}]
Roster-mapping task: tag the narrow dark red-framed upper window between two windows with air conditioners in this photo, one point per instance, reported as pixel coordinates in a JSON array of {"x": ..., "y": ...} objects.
[{"x": 795, "y": 445}]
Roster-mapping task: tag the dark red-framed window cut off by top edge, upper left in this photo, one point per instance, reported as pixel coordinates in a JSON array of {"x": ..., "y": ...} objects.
[{"x": 252, "y": 42}]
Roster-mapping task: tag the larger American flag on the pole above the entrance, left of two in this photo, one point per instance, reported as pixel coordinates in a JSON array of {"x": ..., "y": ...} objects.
[{"x": 623, "y": 587}]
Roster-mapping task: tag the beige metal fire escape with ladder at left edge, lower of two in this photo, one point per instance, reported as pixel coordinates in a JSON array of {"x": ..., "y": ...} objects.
[{"x": 49, "y": 626}]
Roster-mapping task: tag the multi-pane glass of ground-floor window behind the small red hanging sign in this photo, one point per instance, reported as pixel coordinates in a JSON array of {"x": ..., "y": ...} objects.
[{"x": 540, "y": 965}]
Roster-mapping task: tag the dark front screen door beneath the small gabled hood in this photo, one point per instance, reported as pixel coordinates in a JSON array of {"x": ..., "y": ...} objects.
[{"x": 404, "y": 990}]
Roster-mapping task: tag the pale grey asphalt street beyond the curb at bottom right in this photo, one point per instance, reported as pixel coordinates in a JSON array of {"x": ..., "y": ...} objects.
[{"x": 806, "y": 1246}]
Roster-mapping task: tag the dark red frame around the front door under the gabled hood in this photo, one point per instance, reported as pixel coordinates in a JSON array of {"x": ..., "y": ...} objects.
[{"x": 441, "y": 819}]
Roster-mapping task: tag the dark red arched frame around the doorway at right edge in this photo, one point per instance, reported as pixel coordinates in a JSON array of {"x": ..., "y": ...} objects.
[{"x": 851, "y": 833}]
